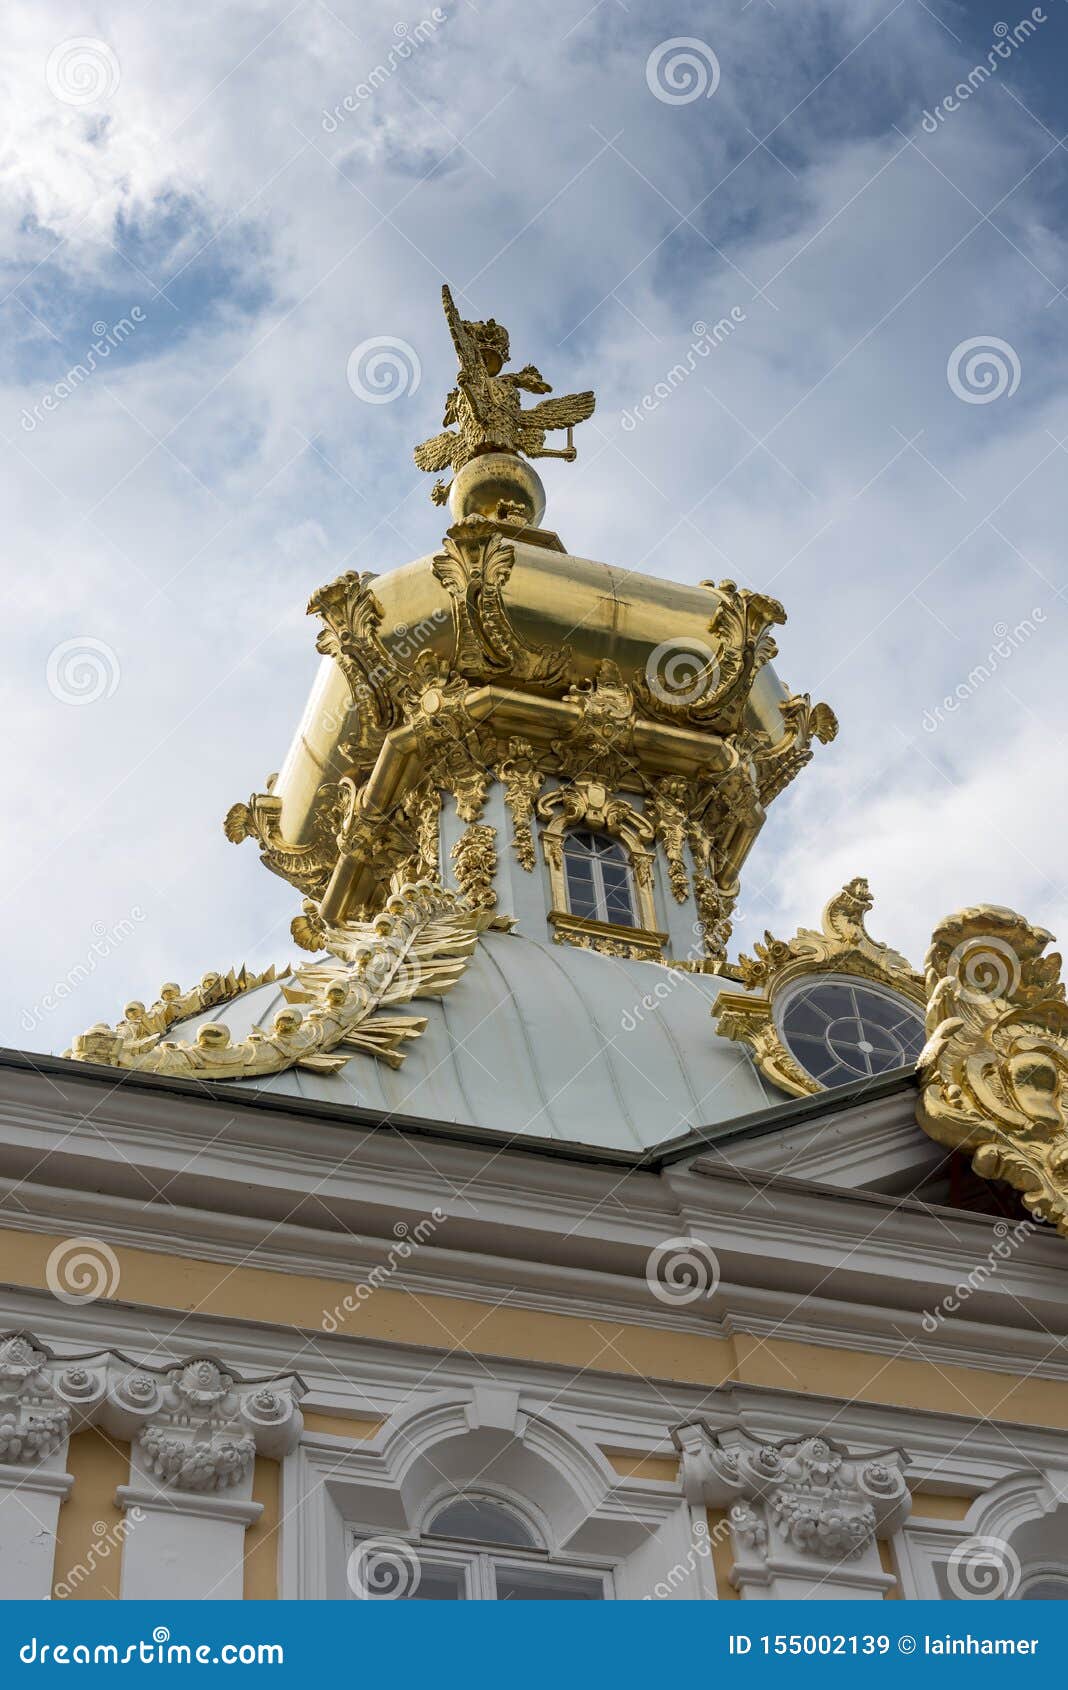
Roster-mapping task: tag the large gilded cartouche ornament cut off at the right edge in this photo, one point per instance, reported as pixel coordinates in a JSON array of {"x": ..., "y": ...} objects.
[{"x": 994, "y": 1072}]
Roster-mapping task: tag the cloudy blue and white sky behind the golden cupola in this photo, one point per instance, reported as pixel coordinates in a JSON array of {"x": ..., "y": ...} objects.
[{"x": 177, "y": 510}]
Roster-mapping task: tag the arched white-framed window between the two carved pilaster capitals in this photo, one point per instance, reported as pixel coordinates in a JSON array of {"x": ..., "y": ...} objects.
[{"x": 474, "y": 1549}]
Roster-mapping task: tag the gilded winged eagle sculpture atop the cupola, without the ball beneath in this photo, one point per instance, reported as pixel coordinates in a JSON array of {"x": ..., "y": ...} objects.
[{"x": 486, "y": 410}]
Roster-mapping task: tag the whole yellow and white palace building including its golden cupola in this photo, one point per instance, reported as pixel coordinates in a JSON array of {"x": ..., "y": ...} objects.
[{"x": 520, "y": 1243}]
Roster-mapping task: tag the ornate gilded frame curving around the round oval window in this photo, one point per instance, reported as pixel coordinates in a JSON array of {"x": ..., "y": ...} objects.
[{"x": 842, "y": 947}]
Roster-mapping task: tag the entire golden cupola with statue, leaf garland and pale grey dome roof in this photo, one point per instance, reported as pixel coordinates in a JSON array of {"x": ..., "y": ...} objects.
[{"x": 526, "y": 780}]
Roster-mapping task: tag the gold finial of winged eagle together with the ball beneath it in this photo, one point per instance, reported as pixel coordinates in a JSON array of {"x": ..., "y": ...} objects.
[{"x": 493, "y": 428}]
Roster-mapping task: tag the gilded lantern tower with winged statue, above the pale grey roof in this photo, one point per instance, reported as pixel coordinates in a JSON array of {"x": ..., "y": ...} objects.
[{"x": 479, "y": 706}]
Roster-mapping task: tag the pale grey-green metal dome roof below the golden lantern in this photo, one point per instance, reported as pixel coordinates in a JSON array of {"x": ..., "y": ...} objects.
[{"x": 545, "y": 1042}]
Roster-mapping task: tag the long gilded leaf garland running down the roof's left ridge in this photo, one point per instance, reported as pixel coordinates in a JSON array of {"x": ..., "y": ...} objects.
[{"x": 418, "y": 947}]
